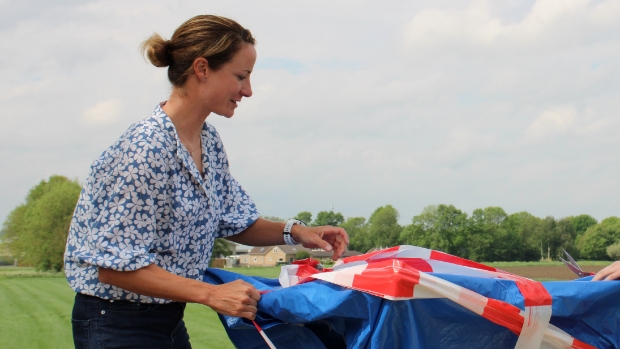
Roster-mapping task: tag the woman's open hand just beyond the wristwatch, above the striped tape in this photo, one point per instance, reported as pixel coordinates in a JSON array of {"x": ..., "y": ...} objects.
[{"x": 326, "y": 237}]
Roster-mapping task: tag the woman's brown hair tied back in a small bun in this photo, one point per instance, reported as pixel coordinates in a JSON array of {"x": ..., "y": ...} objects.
[{"x": 215, "y": 38}]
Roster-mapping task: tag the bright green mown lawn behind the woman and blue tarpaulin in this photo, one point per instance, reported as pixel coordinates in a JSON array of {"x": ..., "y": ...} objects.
[{"x": 35, "y": 311}]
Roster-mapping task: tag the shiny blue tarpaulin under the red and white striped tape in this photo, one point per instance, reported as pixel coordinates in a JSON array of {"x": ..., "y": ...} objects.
[{"x": 320, "y": 314}]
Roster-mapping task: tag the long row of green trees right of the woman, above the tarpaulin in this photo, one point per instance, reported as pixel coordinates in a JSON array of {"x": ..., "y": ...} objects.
[{"x": 488, "y": 234}]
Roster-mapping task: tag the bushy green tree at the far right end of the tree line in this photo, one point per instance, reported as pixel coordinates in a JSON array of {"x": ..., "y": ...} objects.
[{"x": 598, "y": 237}]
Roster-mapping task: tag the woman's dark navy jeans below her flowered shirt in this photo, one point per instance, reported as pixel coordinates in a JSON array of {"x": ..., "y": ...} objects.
[{"x": 104, "y": 324}]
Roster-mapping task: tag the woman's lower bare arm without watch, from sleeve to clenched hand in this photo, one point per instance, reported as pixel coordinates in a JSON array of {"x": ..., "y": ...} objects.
[{"x": 237, "y": 298}]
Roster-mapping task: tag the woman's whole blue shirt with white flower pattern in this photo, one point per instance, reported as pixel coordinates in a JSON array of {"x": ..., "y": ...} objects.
[{"x": 145, "y": 202}]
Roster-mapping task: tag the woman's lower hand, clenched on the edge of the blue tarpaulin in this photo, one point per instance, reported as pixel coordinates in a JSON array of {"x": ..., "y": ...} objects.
[{"x": 237, "y": 298}]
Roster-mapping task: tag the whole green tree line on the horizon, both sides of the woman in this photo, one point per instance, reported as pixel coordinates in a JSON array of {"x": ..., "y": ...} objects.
[{"x": 35, "y": 232}]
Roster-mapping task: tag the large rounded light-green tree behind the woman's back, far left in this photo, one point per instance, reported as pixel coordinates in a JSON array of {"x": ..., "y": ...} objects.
[{"x": 36, "y": 231}]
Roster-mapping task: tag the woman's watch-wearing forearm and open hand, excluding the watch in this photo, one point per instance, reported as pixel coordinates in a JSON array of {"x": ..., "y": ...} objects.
[{"x": 265, "y": 233}]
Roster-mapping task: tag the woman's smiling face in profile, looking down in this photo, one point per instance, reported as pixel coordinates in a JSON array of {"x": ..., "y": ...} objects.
[{"x": 225, "y": 87}]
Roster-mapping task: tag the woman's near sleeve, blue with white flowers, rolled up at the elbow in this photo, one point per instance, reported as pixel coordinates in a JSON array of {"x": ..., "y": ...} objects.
[{"x": 118, "y": 223}]
